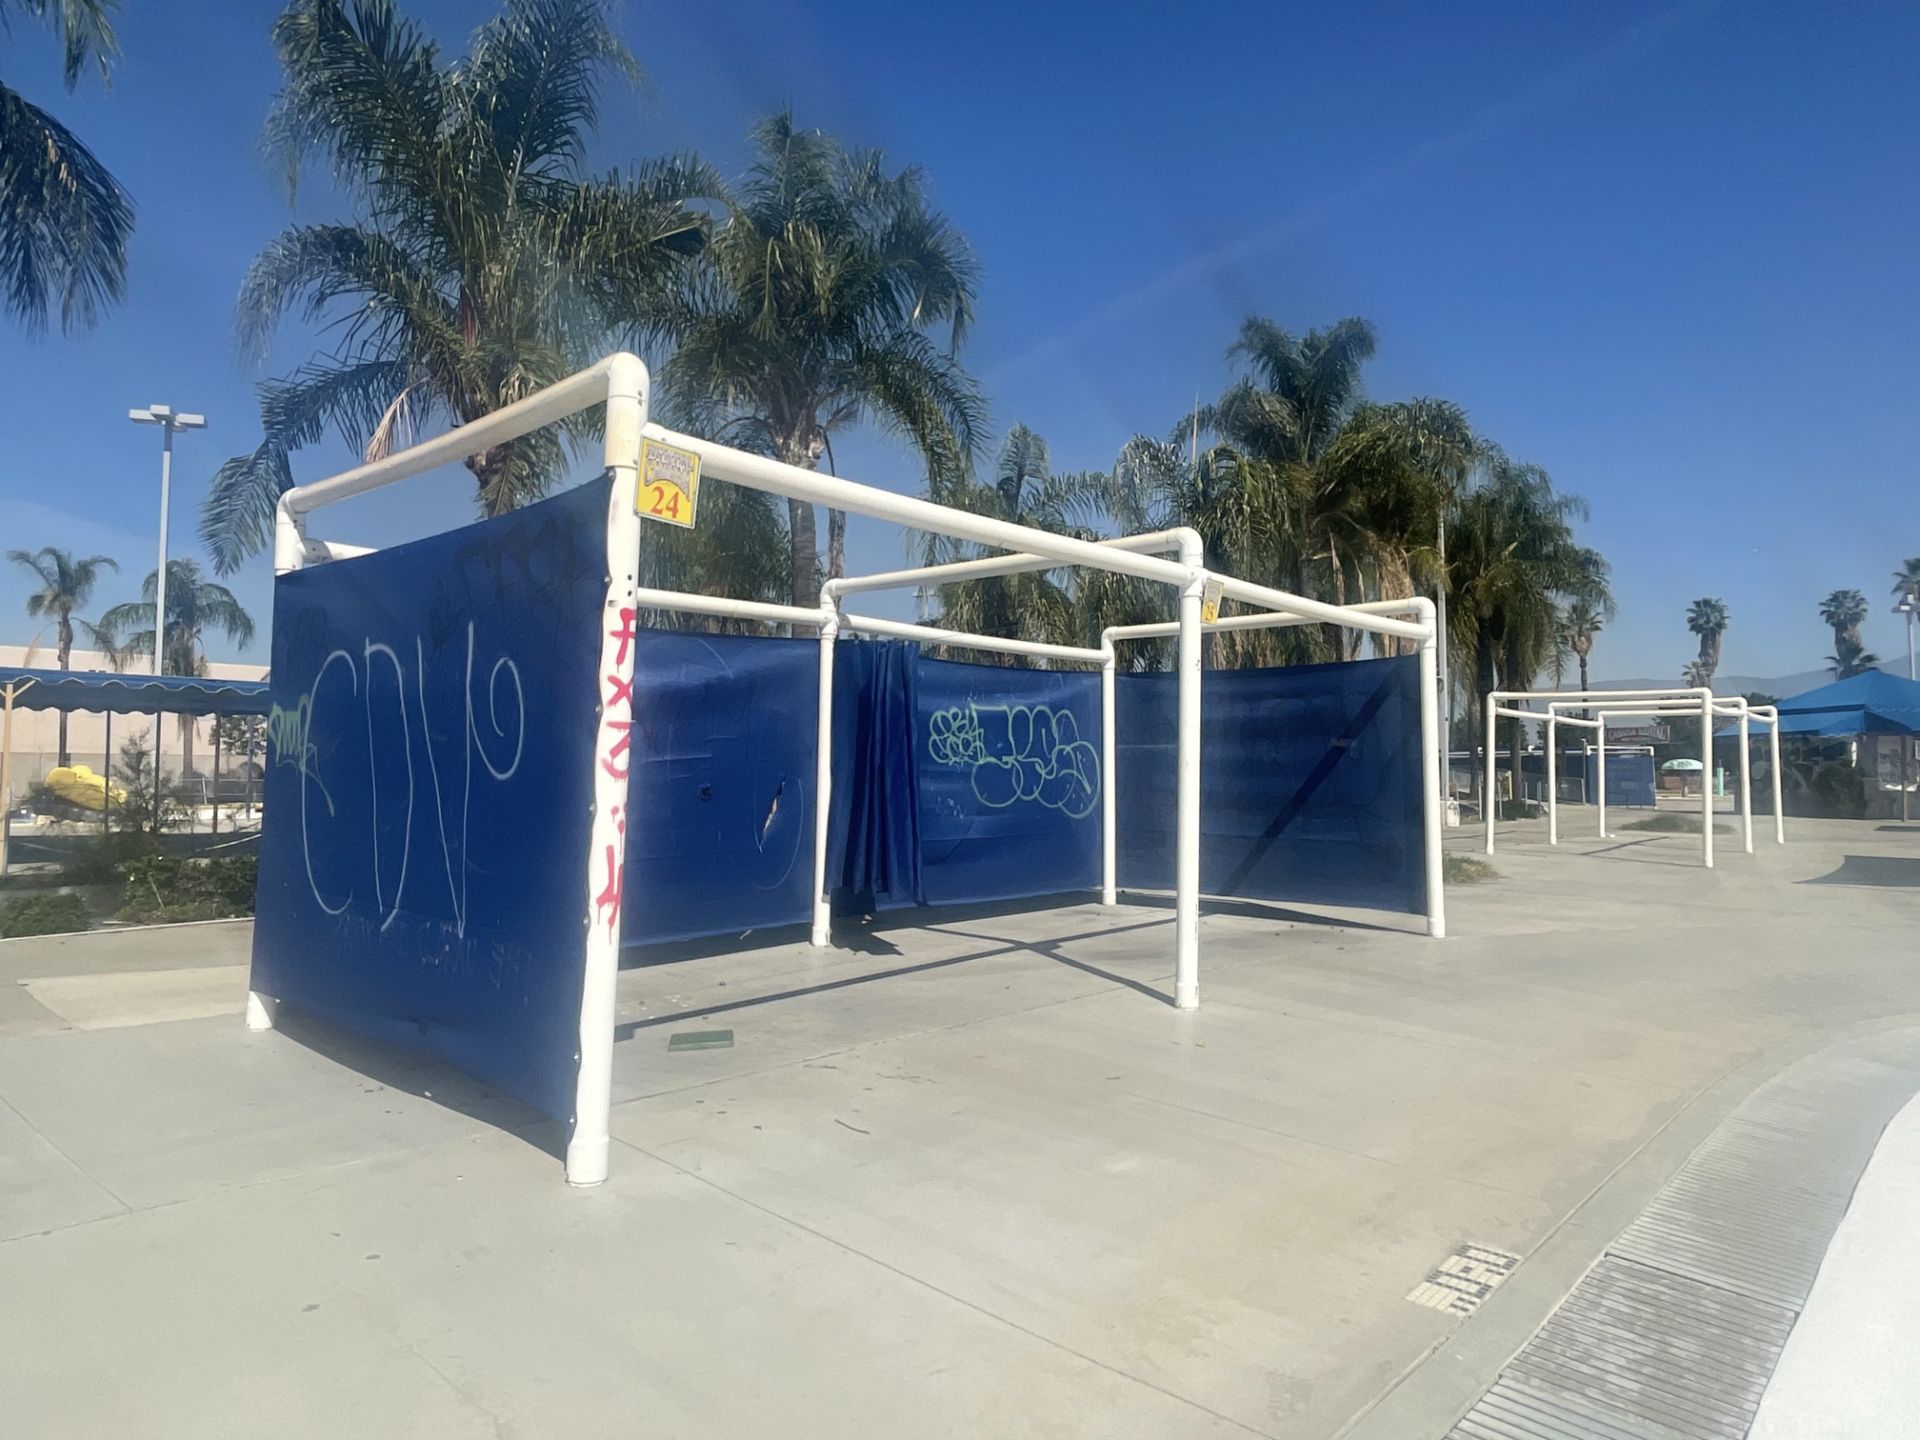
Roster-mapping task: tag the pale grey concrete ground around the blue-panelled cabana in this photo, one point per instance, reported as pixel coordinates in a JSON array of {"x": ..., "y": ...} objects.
[{"x": 974, "y": 1178}]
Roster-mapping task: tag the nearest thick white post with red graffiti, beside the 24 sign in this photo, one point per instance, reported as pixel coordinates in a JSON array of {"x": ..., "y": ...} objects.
[{"x": 606, "y": 861}]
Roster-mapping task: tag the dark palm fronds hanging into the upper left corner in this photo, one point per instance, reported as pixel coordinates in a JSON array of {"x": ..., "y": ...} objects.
[{"x": 64, "y": 220}]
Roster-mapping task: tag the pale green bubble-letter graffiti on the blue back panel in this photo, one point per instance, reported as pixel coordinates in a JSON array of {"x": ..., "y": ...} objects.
[{"x": 1019, "y": 754}]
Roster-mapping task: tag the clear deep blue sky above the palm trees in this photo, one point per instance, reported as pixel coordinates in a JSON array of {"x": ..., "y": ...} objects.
[{"x": 1669, "y": 252}]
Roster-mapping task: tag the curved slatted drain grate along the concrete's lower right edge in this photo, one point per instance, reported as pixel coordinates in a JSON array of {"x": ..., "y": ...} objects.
[{"x": 1677, "y": 1332}]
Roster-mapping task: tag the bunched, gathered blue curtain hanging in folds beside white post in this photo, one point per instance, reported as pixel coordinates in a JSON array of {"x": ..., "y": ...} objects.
[{"x": 875, "y": 852}]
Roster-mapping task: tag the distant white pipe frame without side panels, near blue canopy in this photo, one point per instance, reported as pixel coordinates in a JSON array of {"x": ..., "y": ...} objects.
[{"x": 1635, "y": 704}]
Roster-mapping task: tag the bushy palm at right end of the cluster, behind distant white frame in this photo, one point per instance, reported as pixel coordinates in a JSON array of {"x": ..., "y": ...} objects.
[{"x": 1512, "y": 564}]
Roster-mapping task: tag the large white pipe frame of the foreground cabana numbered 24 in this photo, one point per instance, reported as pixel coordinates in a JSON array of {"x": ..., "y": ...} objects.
[{"x": 623, "y": 385}]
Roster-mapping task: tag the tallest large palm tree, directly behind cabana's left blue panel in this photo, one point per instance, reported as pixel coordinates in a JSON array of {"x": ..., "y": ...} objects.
[{"x": 485, "y": 266}]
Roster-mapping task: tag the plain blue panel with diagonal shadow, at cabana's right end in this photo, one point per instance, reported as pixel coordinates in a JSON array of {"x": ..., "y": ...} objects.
[{"x": 1310, "y": 784}]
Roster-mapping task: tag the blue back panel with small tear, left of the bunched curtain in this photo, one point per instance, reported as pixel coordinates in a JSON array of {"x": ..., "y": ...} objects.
[{"x": 721, "y": 832}]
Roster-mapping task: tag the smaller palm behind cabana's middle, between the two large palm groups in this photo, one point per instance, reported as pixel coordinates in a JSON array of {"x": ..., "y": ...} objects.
[{"x": 1042, "y": 606}]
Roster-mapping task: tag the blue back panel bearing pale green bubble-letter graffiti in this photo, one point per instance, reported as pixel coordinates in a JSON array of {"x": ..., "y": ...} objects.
[{"x": 1009, "y": 777}]
